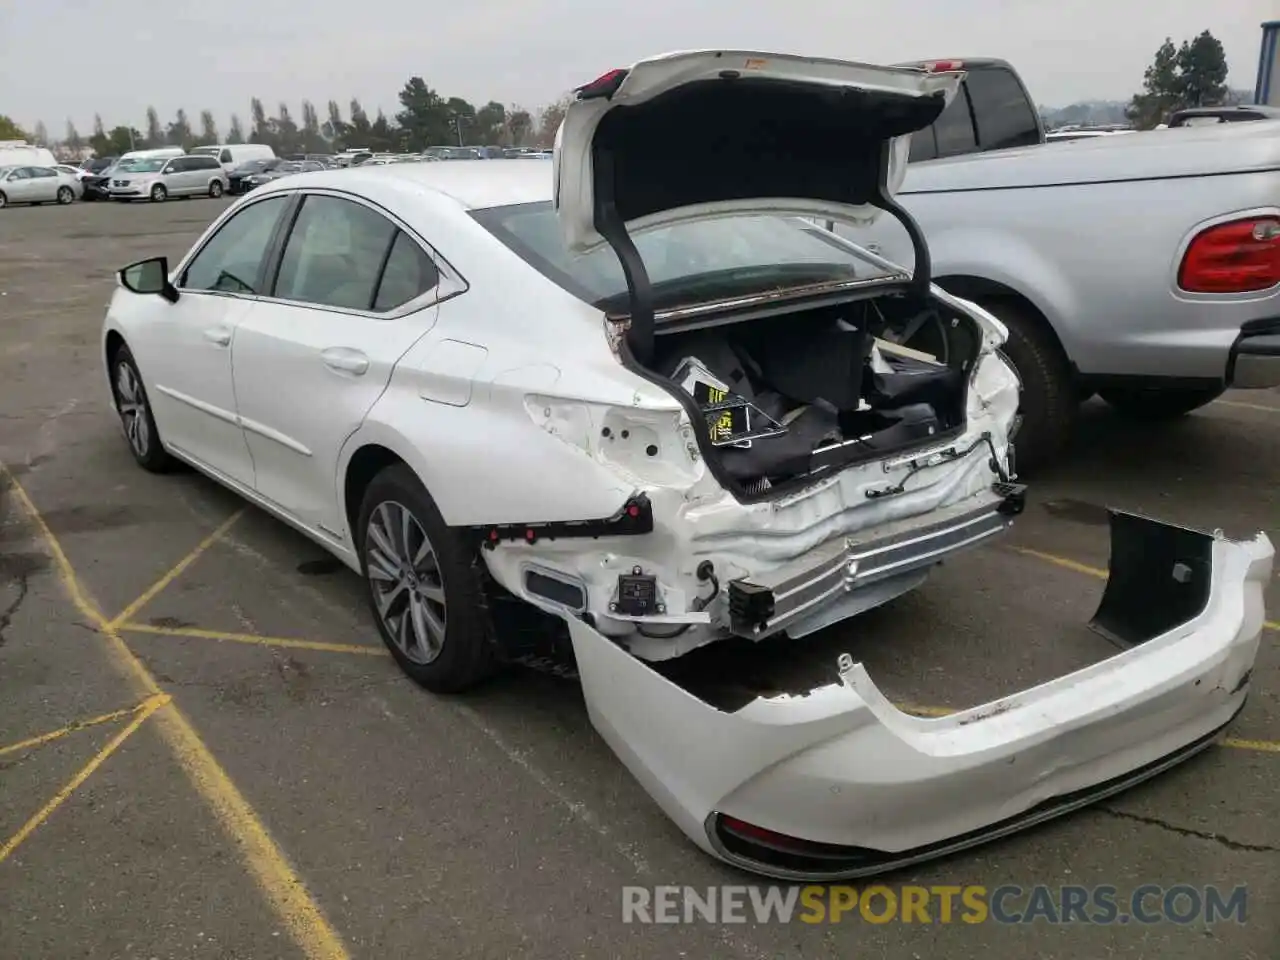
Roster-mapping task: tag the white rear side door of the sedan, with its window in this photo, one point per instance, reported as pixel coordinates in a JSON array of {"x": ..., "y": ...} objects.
[{"x": 354, "y": 292}]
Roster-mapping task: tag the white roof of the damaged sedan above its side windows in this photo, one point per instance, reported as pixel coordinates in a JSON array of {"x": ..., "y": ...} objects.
[{"x": 474, "y": 185}]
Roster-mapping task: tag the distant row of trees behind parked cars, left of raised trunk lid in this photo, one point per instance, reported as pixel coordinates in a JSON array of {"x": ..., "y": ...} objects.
[{"x": 426, "y": 120}]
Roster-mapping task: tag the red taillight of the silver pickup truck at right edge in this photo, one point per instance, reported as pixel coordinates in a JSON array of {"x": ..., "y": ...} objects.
[{"x": 1233, "y": 258}]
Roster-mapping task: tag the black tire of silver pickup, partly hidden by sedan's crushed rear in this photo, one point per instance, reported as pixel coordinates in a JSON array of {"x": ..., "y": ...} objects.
[{"x": 1050, "y": 404}]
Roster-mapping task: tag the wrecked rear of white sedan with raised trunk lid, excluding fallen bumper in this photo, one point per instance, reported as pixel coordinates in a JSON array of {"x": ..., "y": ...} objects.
[{"x": 835, "y": 426}]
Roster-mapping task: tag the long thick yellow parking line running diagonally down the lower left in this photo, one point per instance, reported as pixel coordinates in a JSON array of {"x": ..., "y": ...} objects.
[{"x": 276, "y": 877}]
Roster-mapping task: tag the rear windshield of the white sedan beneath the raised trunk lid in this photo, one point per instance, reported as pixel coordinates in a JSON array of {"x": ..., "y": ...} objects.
[{"x": 712, "y": 258}]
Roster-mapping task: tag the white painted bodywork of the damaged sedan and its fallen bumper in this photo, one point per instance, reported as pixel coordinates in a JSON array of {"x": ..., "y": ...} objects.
[{"x": 495, "y": 388}]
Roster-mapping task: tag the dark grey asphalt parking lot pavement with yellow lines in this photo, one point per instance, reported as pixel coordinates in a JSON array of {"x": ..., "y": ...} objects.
[{"x": 207, "y": 753}]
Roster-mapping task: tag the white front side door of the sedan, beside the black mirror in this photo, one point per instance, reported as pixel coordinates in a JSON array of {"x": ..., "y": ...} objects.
[{"x": 186, "y": 355}]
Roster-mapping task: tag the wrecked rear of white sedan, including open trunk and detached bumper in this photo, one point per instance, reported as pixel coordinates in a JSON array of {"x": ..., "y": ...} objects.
[{"x": 843, "y": 432}]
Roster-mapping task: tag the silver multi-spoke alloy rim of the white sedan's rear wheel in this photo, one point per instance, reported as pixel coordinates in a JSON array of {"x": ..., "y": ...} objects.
[{"x": 405, "y": 575}]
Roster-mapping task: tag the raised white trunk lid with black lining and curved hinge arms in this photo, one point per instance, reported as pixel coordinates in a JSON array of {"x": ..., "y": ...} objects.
[{"x": 717, "y": 134}]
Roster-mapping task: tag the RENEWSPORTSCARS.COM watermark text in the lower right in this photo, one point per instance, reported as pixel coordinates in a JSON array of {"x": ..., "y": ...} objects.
[{"x": 1007, "y": 904}]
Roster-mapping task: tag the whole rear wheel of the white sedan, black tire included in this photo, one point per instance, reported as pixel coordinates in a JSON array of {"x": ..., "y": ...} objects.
[{"x": 463, "y": 653}]
